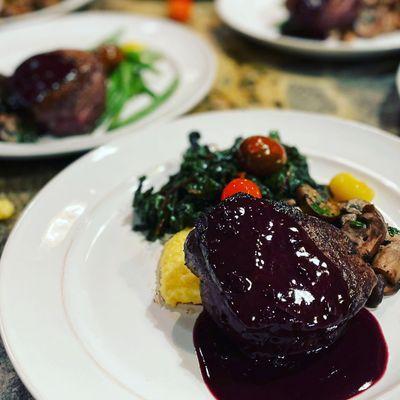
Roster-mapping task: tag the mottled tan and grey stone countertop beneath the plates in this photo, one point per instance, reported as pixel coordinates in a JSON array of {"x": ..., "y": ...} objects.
[{"x": 249, "y": 76}]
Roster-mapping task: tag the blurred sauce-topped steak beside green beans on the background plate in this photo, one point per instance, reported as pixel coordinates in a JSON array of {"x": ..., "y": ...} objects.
[{"x": 63, "y": 90}]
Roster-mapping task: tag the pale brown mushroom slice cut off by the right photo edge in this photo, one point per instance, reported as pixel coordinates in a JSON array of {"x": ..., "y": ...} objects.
[{"x": 387, "y": 262}]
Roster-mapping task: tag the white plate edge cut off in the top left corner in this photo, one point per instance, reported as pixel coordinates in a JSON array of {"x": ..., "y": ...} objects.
[{"x": 63, "y": 7}]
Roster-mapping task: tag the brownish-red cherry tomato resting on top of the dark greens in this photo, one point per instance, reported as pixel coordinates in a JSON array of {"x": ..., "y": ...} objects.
[{"x": 262, "y": 155}]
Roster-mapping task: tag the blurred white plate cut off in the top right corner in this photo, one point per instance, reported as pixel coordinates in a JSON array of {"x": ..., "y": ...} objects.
[{"x": 260, "y": 19}]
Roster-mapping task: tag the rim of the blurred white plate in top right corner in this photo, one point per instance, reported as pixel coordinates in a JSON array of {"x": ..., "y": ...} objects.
[{"x": 300, "y": 45}]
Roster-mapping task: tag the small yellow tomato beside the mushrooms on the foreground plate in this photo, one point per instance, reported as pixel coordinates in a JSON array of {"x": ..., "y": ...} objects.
[{"x": 345, "y": 186}]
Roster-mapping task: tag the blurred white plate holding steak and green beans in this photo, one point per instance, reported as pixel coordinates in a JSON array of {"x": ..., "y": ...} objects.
[{"x": 186, "y": 55}]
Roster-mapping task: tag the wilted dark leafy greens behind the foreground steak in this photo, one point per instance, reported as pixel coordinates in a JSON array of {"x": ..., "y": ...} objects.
[{"x": 199, "y": 183}]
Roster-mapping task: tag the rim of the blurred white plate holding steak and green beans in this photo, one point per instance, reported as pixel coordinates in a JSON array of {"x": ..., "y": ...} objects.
[{"x": 34, "y": 150}]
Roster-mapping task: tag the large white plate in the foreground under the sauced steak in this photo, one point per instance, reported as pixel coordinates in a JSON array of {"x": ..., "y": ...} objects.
[{"x": 77, "y": 285}]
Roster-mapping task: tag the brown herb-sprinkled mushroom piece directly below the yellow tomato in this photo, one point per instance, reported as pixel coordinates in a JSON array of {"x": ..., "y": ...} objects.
[{"x": 367, "y": 232}]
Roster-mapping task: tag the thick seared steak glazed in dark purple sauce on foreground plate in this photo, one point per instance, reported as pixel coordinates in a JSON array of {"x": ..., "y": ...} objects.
[{"x": 277, "y": 281}]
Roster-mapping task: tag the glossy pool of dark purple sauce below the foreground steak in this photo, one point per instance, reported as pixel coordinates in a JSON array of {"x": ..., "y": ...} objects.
[{"x": 351, "y": 365}]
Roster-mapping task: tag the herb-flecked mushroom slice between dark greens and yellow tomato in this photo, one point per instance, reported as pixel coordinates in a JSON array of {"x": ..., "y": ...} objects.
[{"x": 312, "y": 203}]
